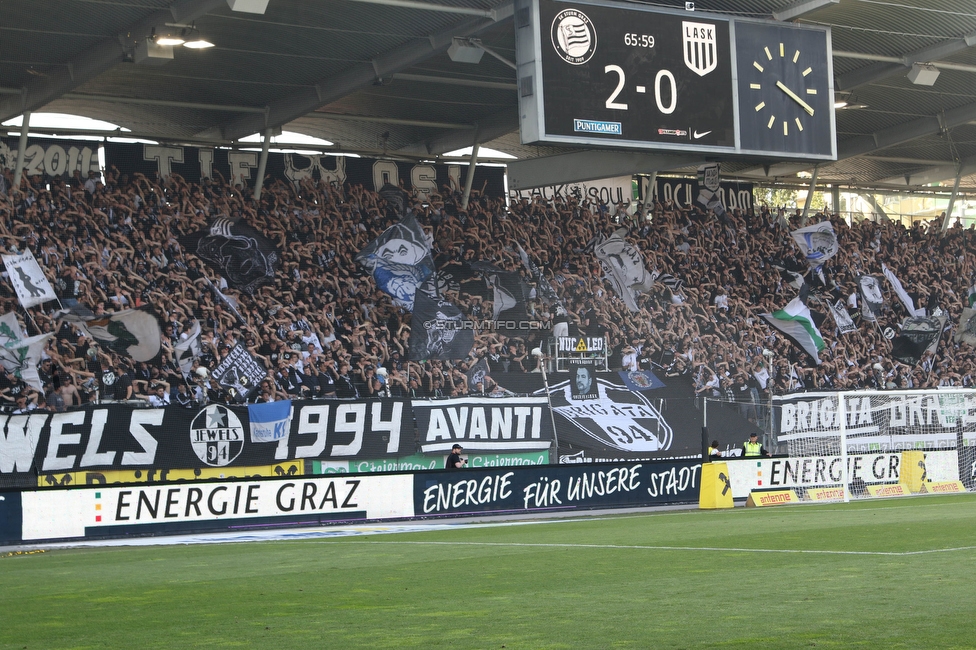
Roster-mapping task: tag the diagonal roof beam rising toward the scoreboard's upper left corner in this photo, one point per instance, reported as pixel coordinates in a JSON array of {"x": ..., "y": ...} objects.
[{"x": 361, "y": 74}]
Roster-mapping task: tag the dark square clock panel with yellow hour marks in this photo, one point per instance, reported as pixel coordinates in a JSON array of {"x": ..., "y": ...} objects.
[{"x": 785, "y": 90}]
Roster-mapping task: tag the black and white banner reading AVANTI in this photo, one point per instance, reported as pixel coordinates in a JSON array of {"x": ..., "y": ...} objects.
[{"x": 483, "y": 424}]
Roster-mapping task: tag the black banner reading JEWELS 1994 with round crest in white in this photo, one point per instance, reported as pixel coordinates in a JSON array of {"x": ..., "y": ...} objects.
[{"x": 124, "y": 437}]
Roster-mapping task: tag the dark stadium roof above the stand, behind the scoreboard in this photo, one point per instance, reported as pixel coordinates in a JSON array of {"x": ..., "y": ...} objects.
[{"x": 374, "y": 77}]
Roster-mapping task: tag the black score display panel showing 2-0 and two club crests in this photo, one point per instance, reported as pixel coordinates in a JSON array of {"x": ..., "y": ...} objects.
[{"x": 636, "y": 76}]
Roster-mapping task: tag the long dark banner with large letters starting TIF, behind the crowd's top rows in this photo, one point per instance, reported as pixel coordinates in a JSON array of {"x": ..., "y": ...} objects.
[{"x": 196, "y": 163}]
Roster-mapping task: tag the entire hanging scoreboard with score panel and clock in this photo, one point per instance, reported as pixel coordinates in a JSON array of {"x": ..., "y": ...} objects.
[{"x": 628, "y": 76}]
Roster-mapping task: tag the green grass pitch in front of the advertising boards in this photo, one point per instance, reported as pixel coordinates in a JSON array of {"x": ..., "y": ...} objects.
[{"x": 871, "y": 574}]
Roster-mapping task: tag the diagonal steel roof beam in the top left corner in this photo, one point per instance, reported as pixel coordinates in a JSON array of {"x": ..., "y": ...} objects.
[{"x": 97, "y": 59}]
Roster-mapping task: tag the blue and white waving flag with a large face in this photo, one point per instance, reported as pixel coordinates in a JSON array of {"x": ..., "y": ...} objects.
[{"x": 399, "y": 260}]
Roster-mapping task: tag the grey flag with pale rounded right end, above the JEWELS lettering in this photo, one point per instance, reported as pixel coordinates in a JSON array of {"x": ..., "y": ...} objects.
[{"x": 132, "y": 333}]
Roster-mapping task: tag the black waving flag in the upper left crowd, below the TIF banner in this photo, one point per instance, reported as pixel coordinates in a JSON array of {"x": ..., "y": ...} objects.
[{"x": 241, "y": 254}]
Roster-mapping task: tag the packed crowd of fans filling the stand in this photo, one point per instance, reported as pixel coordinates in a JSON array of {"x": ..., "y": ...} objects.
[{"x": 323, "y": 329}]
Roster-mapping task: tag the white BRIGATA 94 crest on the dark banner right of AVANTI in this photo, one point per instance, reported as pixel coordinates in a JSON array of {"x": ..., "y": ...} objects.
[{"x": 618, "y": 418}]
